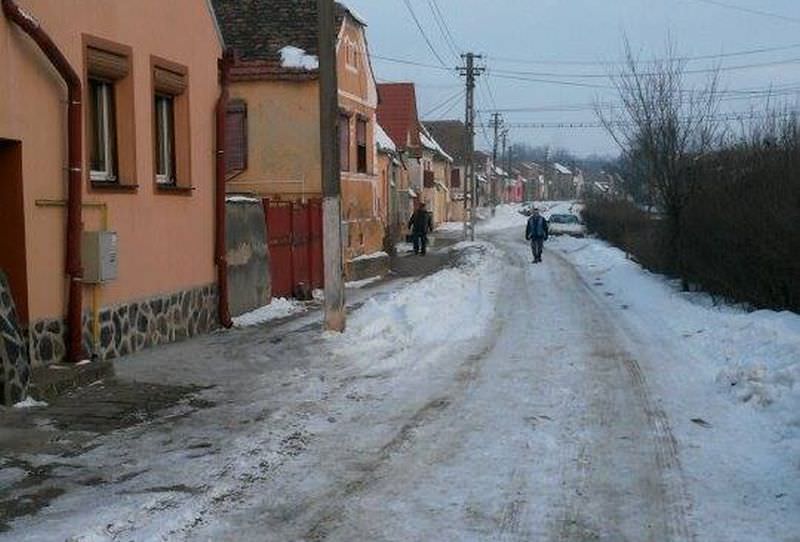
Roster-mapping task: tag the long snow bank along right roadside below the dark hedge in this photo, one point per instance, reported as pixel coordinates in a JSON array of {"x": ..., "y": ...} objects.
[{"x": 754, "y": 357}]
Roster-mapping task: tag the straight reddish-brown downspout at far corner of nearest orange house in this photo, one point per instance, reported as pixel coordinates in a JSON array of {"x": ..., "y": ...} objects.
[{"x": 220, "y": 250}]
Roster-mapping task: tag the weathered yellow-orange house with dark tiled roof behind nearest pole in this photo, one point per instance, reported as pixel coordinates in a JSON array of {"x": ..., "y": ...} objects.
[{"x": 275, "y": 93}]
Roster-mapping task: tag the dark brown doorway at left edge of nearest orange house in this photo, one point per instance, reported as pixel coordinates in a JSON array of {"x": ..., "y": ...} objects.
[{"x": 12, "y": 225}]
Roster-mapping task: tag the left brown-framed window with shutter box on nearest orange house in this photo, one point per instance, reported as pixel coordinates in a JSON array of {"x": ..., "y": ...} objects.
[{"x": 110, "y": 134}]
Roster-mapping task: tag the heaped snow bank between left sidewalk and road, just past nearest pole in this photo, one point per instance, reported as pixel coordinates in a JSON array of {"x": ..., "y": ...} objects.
[{"x": 452, "y": 305}]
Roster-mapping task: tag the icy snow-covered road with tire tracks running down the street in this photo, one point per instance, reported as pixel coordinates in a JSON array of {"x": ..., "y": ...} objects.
[{"x": 495, "y": 401}]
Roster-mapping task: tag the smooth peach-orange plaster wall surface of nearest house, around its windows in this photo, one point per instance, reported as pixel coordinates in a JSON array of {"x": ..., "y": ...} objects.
[{"x": 165, "y": 239}]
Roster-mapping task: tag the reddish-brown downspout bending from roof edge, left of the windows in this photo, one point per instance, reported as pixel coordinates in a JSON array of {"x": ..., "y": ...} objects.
[{"x": 74, "y": 270}]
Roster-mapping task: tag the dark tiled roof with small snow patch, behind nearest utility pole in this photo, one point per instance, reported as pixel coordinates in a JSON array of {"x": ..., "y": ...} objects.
[{"x": 261, "y": 32}]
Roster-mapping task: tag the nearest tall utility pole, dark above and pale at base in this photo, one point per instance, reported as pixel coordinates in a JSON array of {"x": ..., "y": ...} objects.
[{"x": 335, "y": 319}]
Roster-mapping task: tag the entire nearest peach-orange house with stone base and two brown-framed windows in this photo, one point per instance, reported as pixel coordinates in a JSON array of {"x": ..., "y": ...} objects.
[{"x": 107, "y": 159}]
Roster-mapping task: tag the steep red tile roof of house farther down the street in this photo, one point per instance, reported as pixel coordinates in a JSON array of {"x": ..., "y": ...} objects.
[{"x": 397, "y": 113}]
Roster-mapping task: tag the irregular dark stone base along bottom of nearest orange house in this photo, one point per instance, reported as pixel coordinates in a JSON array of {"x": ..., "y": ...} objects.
[{"x": 131, "y": 327}]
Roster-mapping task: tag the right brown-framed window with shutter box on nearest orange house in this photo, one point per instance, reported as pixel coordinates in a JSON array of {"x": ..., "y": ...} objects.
[{"x": 171, "y": 130}]
